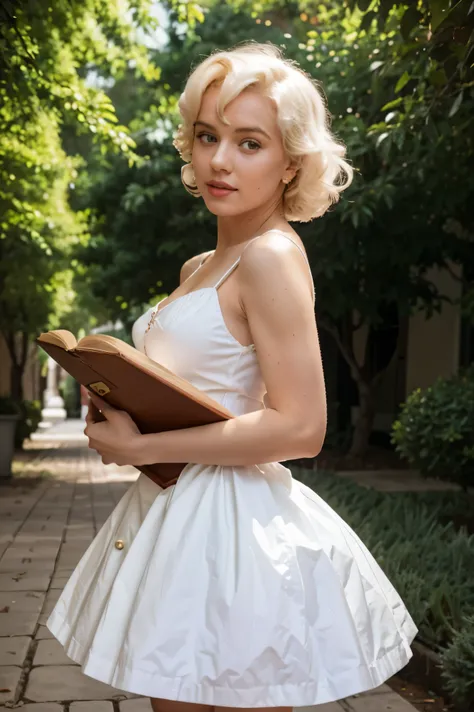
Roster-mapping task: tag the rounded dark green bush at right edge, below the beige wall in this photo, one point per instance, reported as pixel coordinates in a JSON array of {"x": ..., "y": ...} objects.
[{"x": 435, "y": 430}]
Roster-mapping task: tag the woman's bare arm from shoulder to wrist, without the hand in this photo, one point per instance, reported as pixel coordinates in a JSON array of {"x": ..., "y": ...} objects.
[{"x": 280, "y": 312}]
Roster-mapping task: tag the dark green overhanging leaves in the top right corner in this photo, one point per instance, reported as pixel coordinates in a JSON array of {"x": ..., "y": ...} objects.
[{"x": 430, "y": 52}]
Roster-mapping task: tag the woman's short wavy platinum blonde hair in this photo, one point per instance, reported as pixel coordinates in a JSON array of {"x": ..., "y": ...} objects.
[{"x": 322, "y": 173}]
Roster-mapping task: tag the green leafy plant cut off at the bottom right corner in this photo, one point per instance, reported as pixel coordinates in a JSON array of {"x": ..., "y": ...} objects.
[{"x": 458, "y": 665}]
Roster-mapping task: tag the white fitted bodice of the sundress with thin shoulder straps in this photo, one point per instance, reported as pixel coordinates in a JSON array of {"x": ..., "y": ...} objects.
[{"x": 190, "y": 337}]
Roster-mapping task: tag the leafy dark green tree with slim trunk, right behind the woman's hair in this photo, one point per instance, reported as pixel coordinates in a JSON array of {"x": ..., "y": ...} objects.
[{"x": 371, "y": 255}]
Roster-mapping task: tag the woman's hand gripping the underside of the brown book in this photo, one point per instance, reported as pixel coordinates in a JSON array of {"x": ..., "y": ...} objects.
[{"x": 117, "y": 438}]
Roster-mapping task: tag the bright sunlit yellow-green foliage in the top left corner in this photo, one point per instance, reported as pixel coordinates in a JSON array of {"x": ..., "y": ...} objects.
[{"x": 44, "y": 50}]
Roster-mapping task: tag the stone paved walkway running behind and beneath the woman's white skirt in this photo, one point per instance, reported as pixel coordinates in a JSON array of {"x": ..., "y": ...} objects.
[{"x": 45, "y": 526}]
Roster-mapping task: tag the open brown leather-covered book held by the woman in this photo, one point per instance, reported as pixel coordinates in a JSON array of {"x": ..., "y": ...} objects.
[{"x": 155, "y": 397}]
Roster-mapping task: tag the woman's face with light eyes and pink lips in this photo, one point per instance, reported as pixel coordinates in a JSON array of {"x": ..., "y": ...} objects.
[{"x": 247, "y": 155}]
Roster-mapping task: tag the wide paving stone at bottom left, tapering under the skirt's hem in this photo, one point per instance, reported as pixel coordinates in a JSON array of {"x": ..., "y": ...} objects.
[{"x": 54, "y": 683}]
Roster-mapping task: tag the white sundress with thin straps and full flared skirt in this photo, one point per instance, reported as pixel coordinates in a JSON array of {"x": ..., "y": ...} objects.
[{"x": 238, "y": 586}]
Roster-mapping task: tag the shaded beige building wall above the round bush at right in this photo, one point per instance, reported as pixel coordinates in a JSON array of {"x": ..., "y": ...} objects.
[{"x": 433, "y": 344}]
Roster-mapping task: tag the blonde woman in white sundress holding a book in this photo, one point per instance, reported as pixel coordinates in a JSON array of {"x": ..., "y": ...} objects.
[{"x": 239, "y": 586}]
